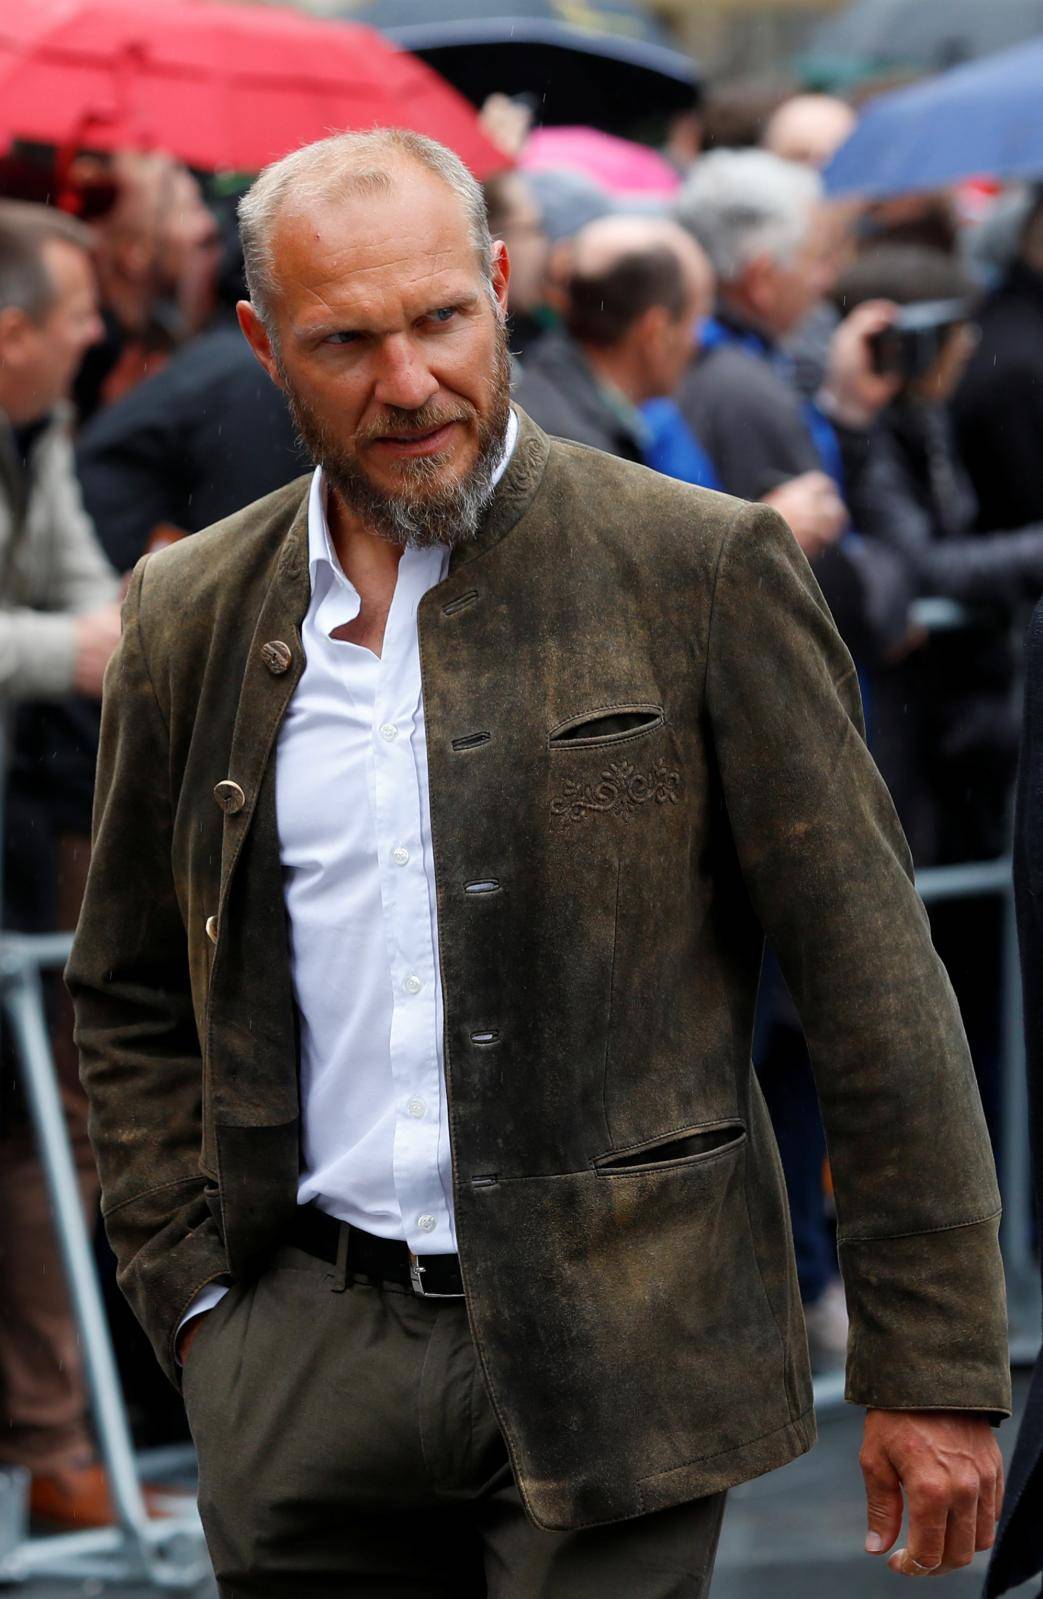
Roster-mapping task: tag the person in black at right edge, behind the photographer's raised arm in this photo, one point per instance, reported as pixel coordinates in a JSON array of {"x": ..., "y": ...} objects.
[{"x": 999, "y": 407}]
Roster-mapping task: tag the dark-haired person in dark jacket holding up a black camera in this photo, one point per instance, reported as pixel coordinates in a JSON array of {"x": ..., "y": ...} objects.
[{"x": 948, "y": 716}]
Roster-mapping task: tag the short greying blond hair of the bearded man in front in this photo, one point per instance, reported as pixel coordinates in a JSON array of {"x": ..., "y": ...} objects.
[{"x": 348, "y": 164}]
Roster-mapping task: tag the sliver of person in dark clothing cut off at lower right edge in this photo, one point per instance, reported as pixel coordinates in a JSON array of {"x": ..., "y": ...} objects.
[{"x": 1018, "y": 1553}]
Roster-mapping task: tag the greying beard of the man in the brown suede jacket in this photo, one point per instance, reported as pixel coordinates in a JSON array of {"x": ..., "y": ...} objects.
[{"x": 423, "y": 512}]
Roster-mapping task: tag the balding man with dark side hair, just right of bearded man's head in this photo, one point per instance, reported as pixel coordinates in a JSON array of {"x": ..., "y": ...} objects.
[{"x": 637, "y": 289}]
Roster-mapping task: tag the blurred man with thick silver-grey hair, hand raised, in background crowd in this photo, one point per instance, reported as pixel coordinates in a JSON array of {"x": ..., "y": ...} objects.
[{"x": 772, "y": 244}]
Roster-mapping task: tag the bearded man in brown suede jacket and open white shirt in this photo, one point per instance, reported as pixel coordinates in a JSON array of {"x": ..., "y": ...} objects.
[{"x": 444, "y": 802}]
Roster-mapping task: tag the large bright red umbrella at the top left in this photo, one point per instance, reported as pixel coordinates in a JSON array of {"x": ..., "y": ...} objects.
[{"x": 222, "y": 87}]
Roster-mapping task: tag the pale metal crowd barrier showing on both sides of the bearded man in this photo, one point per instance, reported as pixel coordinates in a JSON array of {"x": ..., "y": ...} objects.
[{"x": 170, "y": 1552}]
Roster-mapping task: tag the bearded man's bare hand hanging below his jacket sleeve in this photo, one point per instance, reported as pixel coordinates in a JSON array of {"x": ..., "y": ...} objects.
[{"x": 949, "y": 1467}]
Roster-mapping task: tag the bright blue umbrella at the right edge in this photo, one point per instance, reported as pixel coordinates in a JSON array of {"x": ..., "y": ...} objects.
[{"x": 985, "y": 119}]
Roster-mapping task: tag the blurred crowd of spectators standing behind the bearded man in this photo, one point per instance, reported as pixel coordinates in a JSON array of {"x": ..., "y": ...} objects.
[{"x": 874, "y": 373}]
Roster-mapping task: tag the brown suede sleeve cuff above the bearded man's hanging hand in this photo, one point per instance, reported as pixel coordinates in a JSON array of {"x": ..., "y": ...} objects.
[{"x": 929, "y": 1322}]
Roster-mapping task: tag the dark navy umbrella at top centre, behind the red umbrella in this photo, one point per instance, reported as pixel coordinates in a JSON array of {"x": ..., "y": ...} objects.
[{"x": 604, "y": 63}]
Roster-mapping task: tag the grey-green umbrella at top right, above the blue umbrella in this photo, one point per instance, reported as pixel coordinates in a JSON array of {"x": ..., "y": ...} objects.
[{"x": 877, "y": 38}]
